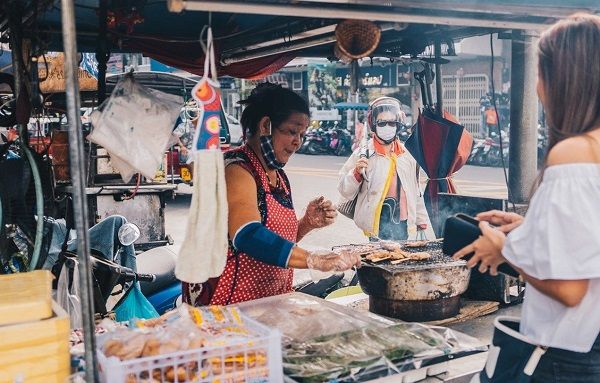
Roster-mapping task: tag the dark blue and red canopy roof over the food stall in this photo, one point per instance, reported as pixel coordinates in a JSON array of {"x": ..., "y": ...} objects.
[{"x": 256, "y": 38}]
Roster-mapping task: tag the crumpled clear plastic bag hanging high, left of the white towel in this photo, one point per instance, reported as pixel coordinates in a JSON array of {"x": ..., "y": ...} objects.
[{"x": 134, "y": 127}]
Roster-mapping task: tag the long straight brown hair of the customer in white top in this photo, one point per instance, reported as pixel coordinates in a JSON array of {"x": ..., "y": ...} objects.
[{"x": 569, "y": 69}]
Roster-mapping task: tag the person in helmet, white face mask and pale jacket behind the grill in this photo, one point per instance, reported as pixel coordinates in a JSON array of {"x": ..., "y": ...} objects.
[{"x": 384, "y": 179}]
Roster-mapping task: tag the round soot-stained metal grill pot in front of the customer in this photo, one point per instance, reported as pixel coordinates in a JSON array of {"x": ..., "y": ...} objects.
[{"x": 413, "y": 290}]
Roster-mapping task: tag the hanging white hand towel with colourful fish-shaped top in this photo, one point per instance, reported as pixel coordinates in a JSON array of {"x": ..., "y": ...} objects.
[{"x": 204, "y": 251}]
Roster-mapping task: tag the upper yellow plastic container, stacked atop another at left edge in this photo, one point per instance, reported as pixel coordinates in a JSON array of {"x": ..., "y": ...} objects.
[{"x": 25, "y": 297}]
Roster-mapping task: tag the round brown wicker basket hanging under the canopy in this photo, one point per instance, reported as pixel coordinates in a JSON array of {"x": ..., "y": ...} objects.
[{"x": 356, "y": 38}]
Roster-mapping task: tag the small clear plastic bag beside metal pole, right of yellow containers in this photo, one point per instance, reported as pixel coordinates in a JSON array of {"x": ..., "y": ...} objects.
[{"x": 68, "y": 297}]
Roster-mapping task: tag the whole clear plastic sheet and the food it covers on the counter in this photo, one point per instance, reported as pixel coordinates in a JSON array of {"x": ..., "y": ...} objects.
[{"x": 327, "y": 342}]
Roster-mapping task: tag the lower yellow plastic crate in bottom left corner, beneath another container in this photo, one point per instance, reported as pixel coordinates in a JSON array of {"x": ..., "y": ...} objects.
[{"x": 36, "y": 351}]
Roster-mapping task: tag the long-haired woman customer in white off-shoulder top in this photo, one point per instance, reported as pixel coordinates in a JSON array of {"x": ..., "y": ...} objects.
[{"x": 556, "y": 247}]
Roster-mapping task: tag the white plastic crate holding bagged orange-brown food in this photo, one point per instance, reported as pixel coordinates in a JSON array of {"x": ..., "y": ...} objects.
[{"x": 256, "y": 360}]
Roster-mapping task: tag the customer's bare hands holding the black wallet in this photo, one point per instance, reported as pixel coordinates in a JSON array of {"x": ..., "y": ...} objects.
[{"x": 487, "y": 249}]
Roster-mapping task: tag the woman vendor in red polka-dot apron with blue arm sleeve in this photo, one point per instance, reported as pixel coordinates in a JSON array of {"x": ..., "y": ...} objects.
[{"x": 263, "y": 227}]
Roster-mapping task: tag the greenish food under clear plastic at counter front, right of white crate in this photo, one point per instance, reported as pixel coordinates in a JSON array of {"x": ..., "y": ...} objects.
[{"x": 359, "y": 355}]
